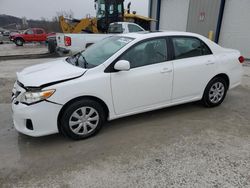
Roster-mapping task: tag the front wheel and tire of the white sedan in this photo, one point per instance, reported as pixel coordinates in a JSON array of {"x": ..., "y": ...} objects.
[{"x": 82, "y": 119}]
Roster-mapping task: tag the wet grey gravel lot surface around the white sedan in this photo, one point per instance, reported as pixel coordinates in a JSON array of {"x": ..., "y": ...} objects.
[{"x": 182, "y": 146}]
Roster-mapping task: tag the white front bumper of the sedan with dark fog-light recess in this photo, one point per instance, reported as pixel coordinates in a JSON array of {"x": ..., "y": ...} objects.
[{"x": 36, "y": 120}]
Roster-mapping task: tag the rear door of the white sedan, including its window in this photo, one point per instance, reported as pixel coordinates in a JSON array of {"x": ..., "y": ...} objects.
[{"x": 194, "y": 65}]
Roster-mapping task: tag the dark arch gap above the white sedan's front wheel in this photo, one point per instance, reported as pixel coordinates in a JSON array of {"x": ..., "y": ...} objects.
[{"x": 100, "y": 101}]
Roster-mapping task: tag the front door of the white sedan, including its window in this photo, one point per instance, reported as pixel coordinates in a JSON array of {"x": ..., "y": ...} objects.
[{"x": 149, "y": 81}]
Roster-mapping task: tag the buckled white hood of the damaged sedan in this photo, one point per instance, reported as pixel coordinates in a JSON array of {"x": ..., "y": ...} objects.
[{"x": 49, "y": 73}]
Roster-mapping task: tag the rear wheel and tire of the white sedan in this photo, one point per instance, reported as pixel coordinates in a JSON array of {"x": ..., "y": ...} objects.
[{"x": 215, "y": 92}]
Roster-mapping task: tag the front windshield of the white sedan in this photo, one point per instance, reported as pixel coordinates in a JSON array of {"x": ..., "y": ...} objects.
[{"x": 99, "y": 52}]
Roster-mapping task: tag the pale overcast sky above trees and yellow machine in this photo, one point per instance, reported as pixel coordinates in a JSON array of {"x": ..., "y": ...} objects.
[{"x": 35, "y": 9}]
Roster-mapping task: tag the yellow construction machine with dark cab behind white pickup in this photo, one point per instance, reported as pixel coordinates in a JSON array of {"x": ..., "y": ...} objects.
[{"x": 107, "y": 11}]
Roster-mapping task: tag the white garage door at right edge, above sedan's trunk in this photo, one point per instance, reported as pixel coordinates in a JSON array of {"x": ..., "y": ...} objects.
[{"x": 236, "y": 26}]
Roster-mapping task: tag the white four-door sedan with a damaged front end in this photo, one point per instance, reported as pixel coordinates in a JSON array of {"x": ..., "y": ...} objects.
[{"x": 120, "y": 76}]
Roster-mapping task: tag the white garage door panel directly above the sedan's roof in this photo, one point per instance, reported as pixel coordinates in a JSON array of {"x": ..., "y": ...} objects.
[{"x": 174, "y": 15}]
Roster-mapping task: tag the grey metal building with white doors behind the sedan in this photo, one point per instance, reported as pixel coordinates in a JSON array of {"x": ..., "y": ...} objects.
[{"x": 227, "y": 20}]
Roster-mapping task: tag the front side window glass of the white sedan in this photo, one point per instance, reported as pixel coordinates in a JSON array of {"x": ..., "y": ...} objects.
[{"x": 146, "y": 53}]
